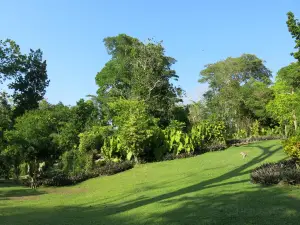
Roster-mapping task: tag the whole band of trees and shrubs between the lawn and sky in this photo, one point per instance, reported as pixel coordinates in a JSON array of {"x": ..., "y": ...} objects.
[{"x": 137, "y": 114}]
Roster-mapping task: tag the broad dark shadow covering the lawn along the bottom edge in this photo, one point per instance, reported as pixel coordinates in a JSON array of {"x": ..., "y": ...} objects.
[{"x": 263, "y": 206}]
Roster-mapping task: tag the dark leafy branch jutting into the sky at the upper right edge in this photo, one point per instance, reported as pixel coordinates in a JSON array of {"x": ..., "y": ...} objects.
[{"x": 294, "y": 28}]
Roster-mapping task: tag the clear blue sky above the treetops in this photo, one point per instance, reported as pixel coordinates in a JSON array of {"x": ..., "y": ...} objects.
[{"x": 70, "y": 33}]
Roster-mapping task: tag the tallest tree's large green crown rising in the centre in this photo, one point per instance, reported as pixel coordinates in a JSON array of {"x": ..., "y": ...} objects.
[{"x": 139, "y": 71}]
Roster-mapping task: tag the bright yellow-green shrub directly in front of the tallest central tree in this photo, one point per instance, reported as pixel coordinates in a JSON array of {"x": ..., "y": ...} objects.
[{"x": 135, "y": 127}]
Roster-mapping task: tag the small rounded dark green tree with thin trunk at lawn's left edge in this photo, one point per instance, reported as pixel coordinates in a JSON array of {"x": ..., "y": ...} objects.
[{"x": 33, "y": 137}]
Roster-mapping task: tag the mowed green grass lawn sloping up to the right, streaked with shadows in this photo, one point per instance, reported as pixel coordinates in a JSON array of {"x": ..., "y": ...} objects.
[{"x": 213, "y": 188}]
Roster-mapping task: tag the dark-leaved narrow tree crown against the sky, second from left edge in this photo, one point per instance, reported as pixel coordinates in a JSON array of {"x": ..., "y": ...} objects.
[{"x": 30, "y": 86}]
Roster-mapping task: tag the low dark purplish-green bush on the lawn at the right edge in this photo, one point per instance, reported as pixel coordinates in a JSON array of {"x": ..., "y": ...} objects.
[{"x": 274, "y": 173}]
